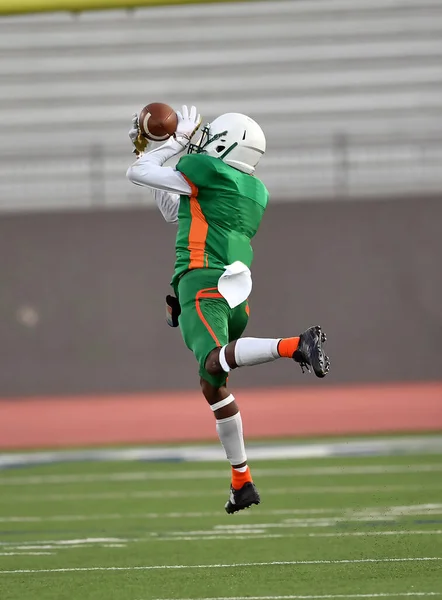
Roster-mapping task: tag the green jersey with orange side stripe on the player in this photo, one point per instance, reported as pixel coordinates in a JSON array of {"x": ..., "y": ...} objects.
[{"x": 217, "y": 222}]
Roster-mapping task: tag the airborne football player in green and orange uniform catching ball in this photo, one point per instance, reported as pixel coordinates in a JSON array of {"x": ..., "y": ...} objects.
[{"x": 218, "y": 204}]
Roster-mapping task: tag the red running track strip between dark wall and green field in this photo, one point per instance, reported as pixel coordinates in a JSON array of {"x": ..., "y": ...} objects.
[{"x": 184, "y": 416}]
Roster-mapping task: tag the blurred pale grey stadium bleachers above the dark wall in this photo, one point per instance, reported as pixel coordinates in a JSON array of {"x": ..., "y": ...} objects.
[{"x": 349, "y": 93}]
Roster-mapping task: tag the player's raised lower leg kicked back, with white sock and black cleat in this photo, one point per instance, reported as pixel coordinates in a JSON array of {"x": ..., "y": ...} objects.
[{"x": 305, "y": 349}]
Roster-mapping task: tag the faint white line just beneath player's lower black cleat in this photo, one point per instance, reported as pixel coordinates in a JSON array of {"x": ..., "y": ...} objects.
[{"x": 346, "y": 514}]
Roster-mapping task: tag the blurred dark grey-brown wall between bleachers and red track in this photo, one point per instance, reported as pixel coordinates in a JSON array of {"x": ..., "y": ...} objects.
[{"x": 81, "y": 301}]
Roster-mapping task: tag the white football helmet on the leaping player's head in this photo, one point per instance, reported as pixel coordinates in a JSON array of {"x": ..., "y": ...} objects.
[{"x": 234, "y": 138}]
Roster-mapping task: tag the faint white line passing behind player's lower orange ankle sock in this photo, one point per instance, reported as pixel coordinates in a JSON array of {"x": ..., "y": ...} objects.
[{"x": 218, "y": 474}]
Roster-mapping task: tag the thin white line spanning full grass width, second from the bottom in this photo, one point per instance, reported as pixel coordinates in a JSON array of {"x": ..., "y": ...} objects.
[{"x": 282, "y": 563}]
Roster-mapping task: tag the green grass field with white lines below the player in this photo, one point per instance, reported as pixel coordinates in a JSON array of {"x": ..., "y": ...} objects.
[{"x": 327, "y": 528}]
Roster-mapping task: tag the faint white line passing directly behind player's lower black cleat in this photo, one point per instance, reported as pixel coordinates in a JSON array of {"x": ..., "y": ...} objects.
[{"x": 338, "y": 489}]
